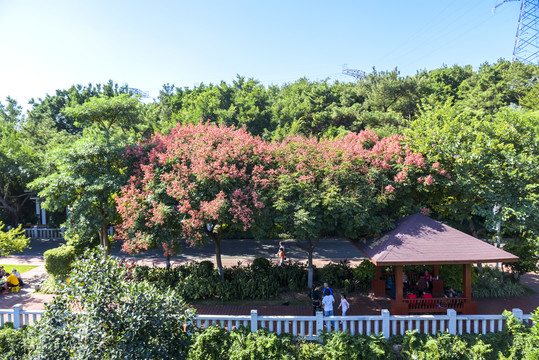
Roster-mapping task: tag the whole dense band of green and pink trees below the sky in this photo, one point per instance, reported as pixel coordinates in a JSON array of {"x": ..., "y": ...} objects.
[{"x": 298, "y": 159}]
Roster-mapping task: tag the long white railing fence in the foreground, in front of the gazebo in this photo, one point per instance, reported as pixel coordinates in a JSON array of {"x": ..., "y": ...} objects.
[{"x": 309, "y": 327}]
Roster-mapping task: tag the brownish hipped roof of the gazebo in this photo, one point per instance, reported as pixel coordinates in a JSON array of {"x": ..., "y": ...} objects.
[{"x": 420, "y": 240}]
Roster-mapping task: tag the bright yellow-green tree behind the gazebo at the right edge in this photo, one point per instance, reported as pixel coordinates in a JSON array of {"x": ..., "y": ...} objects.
[{"x": 492, "y": 161}]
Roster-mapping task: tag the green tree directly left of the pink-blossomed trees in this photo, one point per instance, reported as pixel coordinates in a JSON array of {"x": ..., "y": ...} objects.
[{"x": 85, "y": 178}]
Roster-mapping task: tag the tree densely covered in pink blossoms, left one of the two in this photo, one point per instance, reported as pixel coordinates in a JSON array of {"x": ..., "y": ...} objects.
[{"x": 195, "y": 184}]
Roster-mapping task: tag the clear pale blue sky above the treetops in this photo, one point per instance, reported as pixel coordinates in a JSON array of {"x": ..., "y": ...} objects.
[{"x": 53, "y": 44}]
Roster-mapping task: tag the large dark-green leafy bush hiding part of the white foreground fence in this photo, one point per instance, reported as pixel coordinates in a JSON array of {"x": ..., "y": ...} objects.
[{"x": 99, "y": 315}]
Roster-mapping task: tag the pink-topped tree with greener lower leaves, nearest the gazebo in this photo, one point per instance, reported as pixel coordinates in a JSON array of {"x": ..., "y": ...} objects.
[{"x": 354, "y": 186}]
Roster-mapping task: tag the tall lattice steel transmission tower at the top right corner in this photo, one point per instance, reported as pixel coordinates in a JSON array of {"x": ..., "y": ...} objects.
[{"x": 527, "y": 39}]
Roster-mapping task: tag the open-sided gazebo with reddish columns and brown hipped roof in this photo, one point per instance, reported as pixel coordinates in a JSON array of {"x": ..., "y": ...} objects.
[{"x": 420, "y": 240}]
